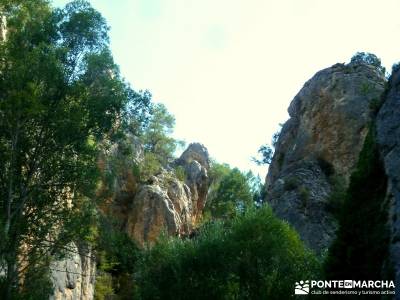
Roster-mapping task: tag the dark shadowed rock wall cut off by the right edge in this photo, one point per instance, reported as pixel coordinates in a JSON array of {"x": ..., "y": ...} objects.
[{"x": 388, "y": 131}]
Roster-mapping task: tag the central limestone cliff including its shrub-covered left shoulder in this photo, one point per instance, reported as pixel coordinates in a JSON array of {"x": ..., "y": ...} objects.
[{"x": 164, "y": 202}]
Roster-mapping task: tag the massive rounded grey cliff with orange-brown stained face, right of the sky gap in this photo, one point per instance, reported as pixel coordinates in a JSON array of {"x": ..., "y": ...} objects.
[{"x": 319, "y": 145}]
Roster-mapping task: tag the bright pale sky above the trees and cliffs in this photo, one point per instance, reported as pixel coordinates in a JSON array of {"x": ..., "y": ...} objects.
[{"x": 228, "y": 69}]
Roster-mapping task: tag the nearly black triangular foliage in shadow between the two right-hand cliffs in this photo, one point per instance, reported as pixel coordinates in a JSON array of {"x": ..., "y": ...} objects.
[{"x": 362, "y": 239}]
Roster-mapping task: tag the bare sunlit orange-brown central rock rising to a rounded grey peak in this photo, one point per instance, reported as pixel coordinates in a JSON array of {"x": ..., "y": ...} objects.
[{"x": 166, "y": 203}]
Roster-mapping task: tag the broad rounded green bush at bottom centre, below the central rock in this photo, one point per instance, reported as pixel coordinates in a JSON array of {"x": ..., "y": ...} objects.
[{"x": 253, "y": 256}]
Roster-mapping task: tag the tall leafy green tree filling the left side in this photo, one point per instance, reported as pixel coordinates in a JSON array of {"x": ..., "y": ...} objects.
[{"x": 60, "y": 93}]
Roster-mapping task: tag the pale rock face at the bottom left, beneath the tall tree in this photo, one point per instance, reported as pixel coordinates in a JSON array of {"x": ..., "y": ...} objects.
[{"x": 74, "y": 276}]
